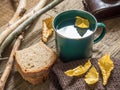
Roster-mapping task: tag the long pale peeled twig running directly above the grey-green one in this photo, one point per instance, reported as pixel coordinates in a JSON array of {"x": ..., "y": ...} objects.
[{"x": 5, "y": 33}]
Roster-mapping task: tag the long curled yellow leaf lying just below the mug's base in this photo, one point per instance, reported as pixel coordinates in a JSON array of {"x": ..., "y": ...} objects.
[{"x": 79, "y": 70}]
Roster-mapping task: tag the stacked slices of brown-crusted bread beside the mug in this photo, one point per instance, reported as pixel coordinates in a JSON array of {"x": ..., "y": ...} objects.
[{"x": 34, "y": 62}]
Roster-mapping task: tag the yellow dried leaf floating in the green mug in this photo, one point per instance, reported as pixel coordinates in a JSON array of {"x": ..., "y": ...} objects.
[{"x": 81, "y": 22}]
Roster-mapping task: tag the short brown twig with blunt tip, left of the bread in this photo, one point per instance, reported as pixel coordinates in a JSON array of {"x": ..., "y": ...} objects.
[{"x": 9, "y": 64}]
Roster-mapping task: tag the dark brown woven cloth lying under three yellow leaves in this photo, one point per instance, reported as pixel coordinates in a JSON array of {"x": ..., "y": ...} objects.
[{"x": 59, "y": 81}]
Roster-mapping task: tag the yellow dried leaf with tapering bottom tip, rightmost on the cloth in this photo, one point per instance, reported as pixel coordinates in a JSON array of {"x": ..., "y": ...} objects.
[{"x": 106, "y": 66}]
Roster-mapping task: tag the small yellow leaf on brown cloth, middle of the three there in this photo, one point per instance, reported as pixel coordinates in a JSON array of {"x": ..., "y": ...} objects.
[{"x": 92, "y": 76}]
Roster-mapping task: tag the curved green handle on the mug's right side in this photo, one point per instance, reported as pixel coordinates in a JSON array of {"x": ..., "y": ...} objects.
[{"x": 99, "y": 38}]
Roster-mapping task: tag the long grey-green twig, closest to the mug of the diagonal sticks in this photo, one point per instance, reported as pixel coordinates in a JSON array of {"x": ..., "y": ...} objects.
[{"x": 21, "y": 27}]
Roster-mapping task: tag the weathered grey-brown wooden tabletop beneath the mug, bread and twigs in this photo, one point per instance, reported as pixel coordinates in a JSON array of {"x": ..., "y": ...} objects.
[{"x": 109, "y": 44}]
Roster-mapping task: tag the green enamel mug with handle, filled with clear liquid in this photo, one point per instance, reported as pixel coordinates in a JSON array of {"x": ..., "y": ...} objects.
[{"x": 73, "y": 43}]
